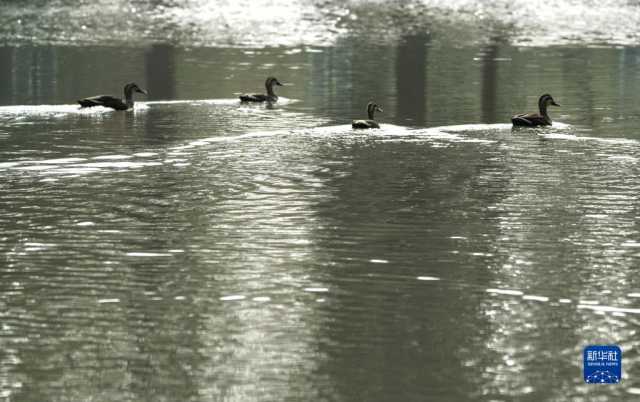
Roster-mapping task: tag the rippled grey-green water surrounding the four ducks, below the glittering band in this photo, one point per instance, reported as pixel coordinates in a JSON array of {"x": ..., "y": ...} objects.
[{"x": 197, "y": 249}]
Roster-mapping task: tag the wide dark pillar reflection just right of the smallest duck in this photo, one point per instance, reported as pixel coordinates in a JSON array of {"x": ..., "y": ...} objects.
[{"x": 411, "y": 70}]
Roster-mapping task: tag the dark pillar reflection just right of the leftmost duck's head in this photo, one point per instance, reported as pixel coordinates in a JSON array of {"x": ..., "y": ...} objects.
[{"x": 160, "y": 70}]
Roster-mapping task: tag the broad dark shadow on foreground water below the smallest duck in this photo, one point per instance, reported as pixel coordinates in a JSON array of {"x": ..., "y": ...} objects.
[{"x": 399, "y": 339}]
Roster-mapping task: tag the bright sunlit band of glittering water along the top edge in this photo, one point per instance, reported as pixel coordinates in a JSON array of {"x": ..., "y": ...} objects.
[{"x": 258, "y": 23}]
